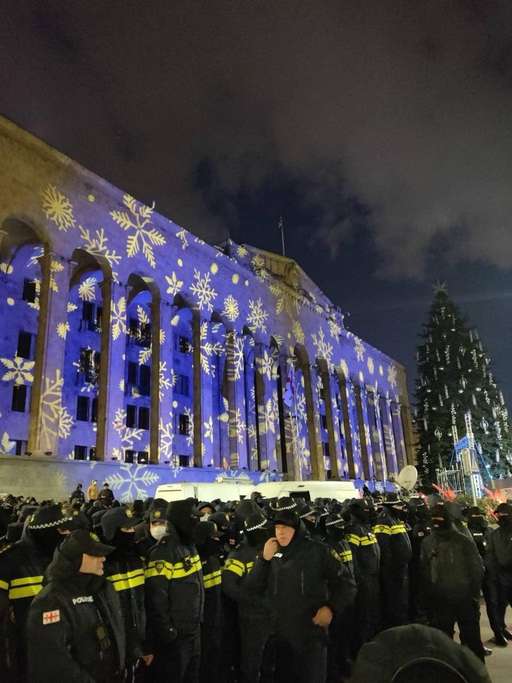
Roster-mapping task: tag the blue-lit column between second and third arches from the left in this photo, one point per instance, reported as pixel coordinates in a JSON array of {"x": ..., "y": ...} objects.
[{"x": 113, "y": 436}]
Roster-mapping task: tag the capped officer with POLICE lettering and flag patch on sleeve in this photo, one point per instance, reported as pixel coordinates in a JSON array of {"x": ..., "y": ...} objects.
[{"x": 75, "y": 628}]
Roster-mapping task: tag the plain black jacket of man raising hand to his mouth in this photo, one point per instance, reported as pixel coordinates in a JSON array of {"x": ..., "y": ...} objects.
[{"x": 301, "y": 578}]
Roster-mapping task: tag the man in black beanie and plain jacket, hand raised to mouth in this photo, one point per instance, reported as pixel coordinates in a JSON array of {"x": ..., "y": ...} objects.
[{"x": 306, "y": 585}]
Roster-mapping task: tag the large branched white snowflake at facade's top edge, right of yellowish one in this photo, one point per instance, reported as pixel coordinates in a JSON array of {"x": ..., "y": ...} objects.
[{"x": 144, "y": 236}]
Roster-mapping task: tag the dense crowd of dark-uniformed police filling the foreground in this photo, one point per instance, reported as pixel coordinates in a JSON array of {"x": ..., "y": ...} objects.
[{"x": 258, "y": 590}]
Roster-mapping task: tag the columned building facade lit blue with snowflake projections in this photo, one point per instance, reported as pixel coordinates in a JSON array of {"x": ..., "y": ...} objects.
[{"x": 128, "y": 339}]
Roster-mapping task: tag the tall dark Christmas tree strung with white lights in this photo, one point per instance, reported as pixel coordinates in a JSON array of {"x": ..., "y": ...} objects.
[{"x": 454, "y": 377}]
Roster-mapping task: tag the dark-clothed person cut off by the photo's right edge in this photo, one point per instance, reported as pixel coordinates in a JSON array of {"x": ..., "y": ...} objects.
[{"x": 500, "y": 570}]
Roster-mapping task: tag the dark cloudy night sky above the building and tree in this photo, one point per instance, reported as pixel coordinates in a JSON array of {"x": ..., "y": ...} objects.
[{"x": 380, "y": 131}]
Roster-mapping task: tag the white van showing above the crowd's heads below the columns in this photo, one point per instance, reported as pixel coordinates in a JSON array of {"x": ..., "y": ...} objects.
[{"x": 227, "y": 490}]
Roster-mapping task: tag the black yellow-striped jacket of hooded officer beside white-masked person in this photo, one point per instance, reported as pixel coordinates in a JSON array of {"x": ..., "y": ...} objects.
[{"x": 174, "y": 590}]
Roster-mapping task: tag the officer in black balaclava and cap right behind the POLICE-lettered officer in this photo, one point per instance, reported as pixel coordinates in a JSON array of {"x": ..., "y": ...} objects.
[{"x": 125, "y": 570}]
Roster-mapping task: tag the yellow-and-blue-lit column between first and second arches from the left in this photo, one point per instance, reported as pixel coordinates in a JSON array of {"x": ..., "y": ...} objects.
[{"x": 49, "y": 419}]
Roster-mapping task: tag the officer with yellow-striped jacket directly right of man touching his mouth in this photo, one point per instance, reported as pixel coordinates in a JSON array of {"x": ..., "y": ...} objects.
[{"x": 366, "y": 555}]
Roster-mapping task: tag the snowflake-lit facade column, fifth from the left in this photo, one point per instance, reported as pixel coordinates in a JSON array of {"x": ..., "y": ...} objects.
[{"x": 236, "y": 400}]
